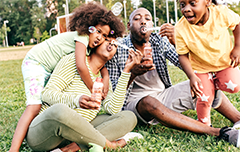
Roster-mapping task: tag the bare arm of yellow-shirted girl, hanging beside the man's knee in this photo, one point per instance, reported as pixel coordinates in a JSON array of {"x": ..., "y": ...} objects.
[{"x": 187, "y": 68}]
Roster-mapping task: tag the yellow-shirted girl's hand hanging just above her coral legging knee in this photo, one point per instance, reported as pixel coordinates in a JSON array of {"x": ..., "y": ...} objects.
[{"x": 195, "y": 83}]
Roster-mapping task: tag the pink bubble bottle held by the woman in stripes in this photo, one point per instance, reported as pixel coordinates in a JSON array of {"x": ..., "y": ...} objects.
[{"x": 97, "y": 90}]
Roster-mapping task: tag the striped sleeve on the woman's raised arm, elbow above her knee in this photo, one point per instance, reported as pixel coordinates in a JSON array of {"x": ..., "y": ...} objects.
[{"x": 114, "y": 100}]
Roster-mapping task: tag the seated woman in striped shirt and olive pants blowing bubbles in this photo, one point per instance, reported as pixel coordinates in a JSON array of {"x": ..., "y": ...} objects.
[{"x": 69, "y": 113}]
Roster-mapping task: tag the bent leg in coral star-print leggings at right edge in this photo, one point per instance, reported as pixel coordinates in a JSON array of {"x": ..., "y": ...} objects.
[{"x": 228, "y": 80}]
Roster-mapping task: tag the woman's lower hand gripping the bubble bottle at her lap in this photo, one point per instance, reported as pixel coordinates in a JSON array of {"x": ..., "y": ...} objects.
[{"x": 87, "y": 102}]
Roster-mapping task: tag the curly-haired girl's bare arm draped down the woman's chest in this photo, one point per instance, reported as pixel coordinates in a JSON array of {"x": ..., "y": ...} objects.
[{"x": 80, "y": 55}]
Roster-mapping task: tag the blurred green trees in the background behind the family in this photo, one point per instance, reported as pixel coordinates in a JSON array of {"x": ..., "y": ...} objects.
[{"x": 29, "y": 19}]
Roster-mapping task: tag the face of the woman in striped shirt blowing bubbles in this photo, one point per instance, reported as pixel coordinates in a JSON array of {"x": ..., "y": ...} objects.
[{"x": 107, "y": 49}]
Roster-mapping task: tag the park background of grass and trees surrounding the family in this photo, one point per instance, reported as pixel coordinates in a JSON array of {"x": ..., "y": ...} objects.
[{"x": 32, "y": 20}]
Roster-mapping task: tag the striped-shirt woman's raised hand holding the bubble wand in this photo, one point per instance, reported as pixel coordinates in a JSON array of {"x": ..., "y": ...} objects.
[{"x": 134, "y": 58}]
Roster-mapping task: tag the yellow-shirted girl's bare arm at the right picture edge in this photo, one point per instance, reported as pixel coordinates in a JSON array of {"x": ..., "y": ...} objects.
[{"x": 235, "y": 54}]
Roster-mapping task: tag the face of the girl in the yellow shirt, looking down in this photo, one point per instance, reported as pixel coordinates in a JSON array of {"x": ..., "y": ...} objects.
[{"x": 195, "y": 11}]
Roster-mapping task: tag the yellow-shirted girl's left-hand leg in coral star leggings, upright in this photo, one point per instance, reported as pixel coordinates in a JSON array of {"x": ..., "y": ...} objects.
[{"x": 204, "y": 102}]
